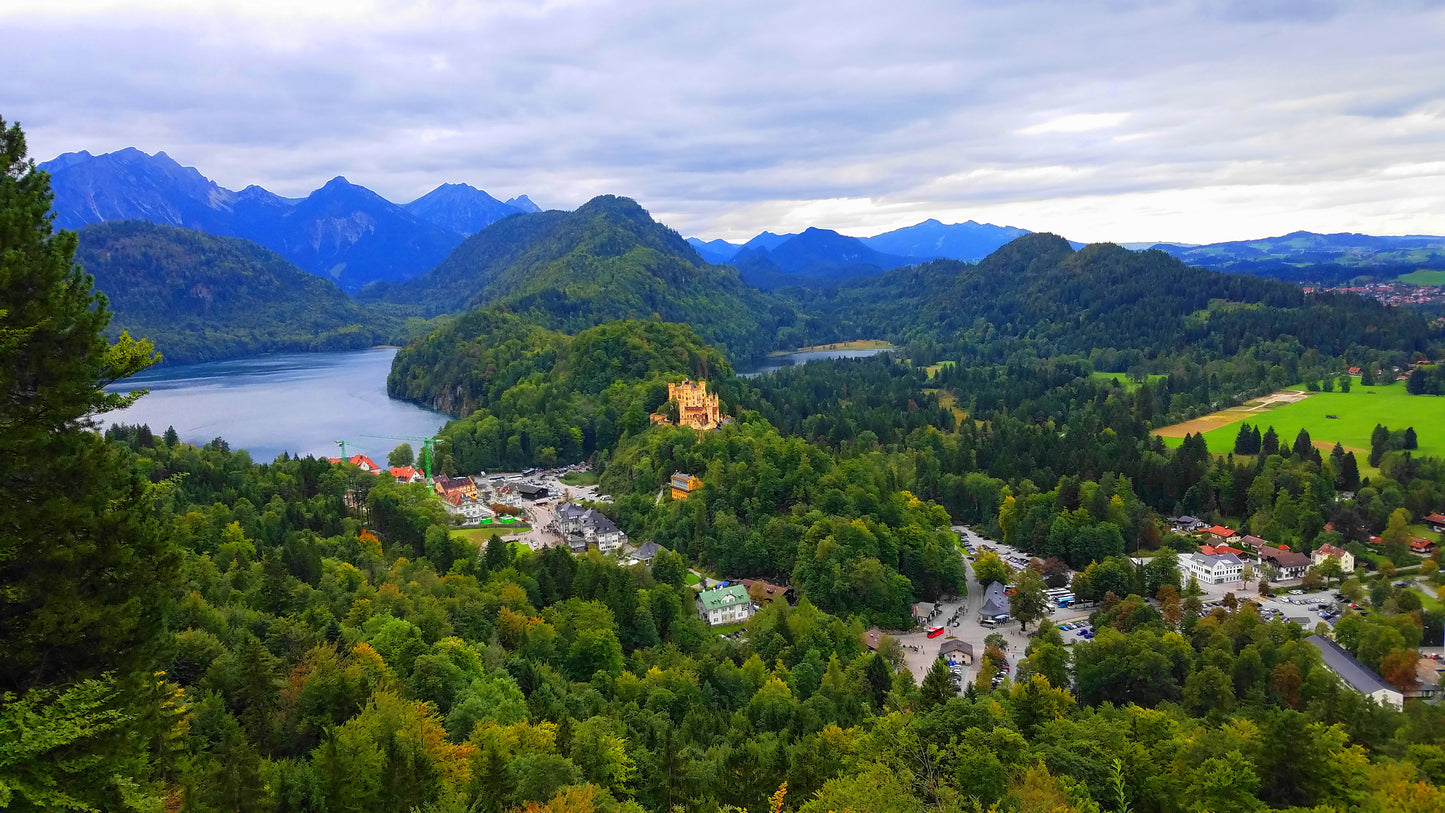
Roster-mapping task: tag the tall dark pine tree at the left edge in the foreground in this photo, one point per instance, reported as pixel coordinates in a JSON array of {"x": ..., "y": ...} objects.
[{"x": 83, "y": 557}]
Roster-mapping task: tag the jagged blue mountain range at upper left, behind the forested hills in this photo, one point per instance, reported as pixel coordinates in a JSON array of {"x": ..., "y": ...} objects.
[{"x": 342, "y": 232}]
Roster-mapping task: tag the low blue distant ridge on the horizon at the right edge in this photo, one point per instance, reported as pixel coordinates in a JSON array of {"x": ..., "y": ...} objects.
[{"x": 1304, "y": 256}]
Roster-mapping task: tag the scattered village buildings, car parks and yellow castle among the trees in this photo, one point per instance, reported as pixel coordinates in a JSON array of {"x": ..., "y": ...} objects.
[{"x": 563, "y": 506}]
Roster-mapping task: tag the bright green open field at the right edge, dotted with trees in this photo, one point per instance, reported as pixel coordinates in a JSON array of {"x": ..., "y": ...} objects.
[{"x": 1359, "y": 412}]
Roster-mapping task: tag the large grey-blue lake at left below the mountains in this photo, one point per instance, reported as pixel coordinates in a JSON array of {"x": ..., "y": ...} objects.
[{"x": 298, "y": 402}]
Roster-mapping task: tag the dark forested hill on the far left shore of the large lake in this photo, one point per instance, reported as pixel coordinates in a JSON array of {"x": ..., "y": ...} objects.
[{"x": 200, "y": 297}]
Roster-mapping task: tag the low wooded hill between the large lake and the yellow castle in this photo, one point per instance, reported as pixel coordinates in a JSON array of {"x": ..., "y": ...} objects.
[{"x": 535, "y": 396}]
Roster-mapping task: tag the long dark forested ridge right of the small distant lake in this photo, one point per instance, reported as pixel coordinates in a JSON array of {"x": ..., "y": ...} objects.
[{"x": 1103, "y": 297}]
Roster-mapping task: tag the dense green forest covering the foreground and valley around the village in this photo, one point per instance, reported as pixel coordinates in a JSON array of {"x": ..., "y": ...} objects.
[{"x": 187, "y": 629}]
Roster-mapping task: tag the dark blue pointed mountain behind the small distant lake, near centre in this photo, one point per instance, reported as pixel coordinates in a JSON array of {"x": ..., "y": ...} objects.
[{"x": 817, "y": 255}]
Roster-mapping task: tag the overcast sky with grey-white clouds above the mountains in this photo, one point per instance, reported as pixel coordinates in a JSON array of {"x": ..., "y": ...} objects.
[{"x": 1119, "y": 121}]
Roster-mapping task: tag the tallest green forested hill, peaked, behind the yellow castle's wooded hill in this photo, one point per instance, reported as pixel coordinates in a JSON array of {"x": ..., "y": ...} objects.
[{"x": 608, "y": 261}]
